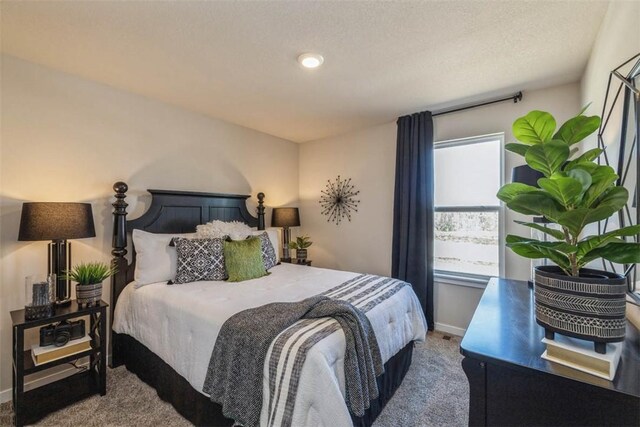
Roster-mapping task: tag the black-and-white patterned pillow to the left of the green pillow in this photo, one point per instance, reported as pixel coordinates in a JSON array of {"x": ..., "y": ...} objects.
[{"x": 199, "y": 259}]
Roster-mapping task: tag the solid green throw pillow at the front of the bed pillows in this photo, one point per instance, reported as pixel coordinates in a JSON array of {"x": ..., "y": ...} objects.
[{"x": 243, "y": 259}]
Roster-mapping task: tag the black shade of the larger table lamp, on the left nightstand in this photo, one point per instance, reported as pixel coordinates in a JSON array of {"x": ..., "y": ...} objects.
[{"x": 56, "y": 221}]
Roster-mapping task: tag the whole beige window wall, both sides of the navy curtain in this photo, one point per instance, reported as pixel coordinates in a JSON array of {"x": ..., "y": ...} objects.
[{"x": 368, "y": 157}]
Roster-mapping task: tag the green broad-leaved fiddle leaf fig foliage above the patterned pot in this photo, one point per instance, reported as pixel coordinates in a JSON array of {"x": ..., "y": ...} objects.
[{"x": 573, "y": 193}]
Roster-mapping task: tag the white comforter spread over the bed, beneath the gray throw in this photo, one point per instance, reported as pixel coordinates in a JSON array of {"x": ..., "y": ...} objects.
[{"x": 180, "y": 324}]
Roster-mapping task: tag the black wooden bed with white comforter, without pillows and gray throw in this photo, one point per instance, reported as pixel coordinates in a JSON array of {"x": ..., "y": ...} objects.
[{"x": 165, "y": 334}]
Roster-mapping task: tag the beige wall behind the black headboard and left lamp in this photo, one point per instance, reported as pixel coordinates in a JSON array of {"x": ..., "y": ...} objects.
[{"x": 68, "y": 139}]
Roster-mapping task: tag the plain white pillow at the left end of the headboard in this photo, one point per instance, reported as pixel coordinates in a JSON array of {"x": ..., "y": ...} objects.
[{"x": 156, "y": 261}]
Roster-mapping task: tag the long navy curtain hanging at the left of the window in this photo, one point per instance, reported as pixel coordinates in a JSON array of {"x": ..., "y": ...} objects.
[{"x": 412, "y": 256}]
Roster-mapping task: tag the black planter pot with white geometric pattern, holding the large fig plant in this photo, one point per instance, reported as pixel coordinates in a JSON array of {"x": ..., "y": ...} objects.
[{"x": 590, "y": 307}]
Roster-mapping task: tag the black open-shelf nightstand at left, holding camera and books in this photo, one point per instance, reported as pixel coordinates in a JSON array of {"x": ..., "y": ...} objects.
[{"x": 30, "y": 406}]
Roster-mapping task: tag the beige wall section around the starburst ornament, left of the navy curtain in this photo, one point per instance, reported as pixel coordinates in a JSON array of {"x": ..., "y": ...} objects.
[{"x": 368, "y": 157}]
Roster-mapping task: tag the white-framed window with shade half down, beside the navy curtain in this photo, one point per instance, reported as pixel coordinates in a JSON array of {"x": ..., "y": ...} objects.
[{"x": 467, "y": 221}]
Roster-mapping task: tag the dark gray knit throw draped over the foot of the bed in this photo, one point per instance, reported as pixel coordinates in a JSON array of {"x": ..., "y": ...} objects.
[{"x": 235, "y": 374}]
